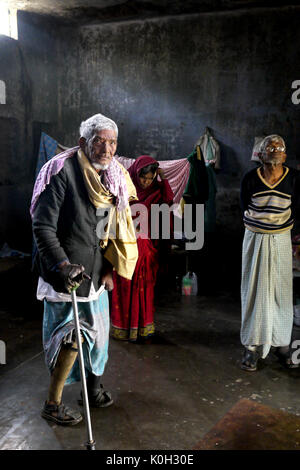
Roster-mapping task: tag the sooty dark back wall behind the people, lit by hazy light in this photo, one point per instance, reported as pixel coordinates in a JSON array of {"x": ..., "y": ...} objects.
[{"x": 165, "y": 80}]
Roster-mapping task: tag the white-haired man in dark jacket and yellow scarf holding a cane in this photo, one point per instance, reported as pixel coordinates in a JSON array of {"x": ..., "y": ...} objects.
[{"x": 69, "y": 191}]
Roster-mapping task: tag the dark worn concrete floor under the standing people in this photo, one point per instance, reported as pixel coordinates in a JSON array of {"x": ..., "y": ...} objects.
[{"x": 167, "y": 395}]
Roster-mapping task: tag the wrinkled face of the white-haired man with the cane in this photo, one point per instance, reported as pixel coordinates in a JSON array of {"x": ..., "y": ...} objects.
[{"x": 102, "y": 148}]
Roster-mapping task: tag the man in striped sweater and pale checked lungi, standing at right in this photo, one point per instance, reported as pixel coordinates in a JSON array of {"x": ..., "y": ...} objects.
[{"x": 269, "y": 199}]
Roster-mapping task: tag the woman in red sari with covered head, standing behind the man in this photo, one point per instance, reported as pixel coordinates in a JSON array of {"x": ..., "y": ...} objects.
[{"x": 132, "y": 314}]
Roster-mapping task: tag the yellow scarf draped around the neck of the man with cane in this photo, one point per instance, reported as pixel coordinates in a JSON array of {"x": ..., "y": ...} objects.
[{"x": 119, "y": 236}]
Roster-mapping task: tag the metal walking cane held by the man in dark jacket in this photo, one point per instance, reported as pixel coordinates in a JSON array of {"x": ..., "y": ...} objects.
[{"x": 90, "y": 444}]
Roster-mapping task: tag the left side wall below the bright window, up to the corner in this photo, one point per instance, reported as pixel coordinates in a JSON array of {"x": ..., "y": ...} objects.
[{"x": 28, "y": 68}]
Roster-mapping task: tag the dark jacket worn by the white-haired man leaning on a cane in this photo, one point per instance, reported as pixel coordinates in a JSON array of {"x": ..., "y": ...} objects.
[{"x": 64, "y": 227}]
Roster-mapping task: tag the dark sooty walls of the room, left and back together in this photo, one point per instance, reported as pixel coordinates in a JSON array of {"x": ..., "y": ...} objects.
[{"x": 162, "y": 80}]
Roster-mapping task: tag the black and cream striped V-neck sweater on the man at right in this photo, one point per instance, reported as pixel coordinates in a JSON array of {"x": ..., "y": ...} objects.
[{"x": 270, "y": 208}]
